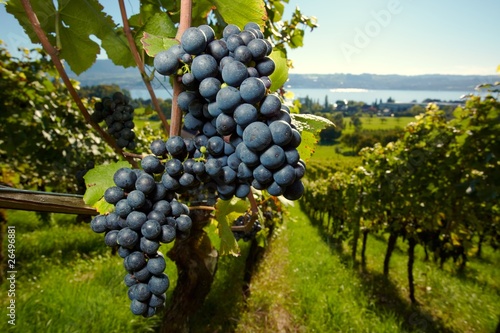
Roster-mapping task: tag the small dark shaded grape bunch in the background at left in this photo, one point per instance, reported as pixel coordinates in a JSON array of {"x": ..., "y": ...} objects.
[{"x": 118, "y": 115}]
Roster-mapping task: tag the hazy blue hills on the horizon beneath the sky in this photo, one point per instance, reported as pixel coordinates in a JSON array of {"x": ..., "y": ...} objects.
[{"x": 105, "y": 72}]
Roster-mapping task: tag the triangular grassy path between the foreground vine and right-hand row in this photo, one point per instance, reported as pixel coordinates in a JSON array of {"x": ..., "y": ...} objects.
[{"x": 302, "y": 287}]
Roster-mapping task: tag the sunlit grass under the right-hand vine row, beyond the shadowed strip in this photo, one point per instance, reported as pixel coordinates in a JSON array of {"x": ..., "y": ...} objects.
[{"x": 449, "y": 300}]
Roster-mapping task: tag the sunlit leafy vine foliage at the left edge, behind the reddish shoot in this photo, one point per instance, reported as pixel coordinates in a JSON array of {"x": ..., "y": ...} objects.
[{"x": 44, "y": 138}]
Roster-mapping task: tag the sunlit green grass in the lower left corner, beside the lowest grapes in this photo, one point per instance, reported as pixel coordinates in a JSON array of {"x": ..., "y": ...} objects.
[{"x": 82, "y": 296}]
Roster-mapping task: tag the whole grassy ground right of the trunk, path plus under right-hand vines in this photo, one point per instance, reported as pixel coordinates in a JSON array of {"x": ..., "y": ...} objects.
[{"x": 305, "y": 284}]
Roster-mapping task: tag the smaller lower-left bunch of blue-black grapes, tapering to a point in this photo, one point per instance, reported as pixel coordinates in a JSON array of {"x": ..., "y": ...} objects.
[{"x": 145, "y": 215}]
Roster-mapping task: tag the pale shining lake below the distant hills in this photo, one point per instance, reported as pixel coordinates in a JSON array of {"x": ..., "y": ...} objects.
[{"x": 350, "y": 94}]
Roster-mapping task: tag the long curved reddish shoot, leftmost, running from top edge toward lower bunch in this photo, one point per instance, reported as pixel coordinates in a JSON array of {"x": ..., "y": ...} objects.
[{"x": 53, "y": 53}]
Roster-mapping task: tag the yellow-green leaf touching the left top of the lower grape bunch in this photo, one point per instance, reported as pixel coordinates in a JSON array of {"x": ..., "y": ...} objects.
[{"x": 97, "y": 180}]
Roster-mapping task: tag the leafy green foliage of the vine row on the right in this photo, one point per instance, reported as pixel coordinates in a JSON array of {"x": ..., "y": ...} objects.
[{"x": 441, "y": 177}]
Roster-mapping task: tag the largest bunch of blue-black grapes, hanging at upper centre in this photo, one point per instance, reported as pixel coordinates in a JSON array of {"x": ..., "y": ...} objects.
[{"x": 244, "y": 133}]
